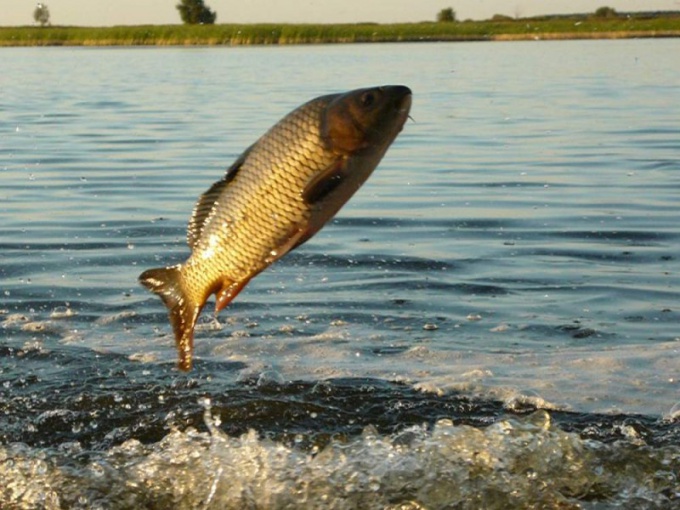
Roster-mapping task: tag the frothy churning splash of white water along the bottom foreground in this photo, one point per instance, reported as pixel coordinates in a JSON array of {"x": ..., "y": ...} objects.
[{"x": 515, "y": 463}]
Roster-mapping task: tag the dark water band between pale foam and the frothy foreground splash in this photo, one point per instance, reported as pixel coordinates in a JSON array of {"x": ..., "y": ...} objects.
[{"x": 49, "y": 397}]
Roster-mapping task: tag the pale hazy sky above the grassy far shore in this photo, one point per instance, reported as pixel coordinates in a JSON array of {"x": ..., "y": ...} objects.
[{"x": 156, "y": 12}]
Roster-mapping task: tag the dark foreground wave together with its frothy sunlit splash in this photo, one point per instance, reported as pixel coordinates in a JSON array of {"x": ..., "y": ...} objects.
[{"x": 132, "y": 435}]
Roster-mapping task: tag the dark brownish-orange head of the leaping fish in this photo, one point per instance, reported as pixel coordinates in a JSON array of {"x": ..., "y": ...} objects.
[{"x": 365, "y": 118}]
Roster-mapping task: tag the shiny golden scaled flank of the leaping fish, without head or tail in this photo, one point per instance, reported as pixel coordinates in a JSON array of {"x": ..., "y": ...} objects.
[{"x": 261, "y": 208}]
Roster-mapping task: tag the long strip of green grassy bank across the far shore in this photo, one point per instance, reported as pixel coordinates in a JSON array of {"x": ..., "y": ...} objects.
[{"x": 563, "y": 27}]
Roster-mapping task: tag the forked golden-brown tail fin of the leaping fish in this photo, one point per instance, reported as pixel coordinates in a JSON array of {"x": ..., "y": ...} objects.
[{"x": 183, "y": 313}]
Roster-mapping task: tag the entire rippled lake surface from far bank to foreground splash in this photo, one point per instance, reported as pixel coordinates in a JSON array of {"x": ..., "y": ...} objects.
[{"x": 491, "y": 322}]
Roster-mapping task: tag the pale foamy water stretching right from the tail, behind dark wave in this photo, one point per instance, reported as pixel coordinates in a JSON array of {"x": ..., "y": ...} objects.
[{"x": 628, "y": 378}]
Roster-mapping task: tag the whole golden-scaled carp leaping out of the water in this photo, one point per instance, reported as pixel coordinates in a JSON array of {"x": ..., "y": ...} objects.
[{"x": 275, "y": 196}]
